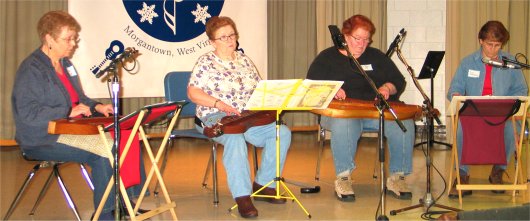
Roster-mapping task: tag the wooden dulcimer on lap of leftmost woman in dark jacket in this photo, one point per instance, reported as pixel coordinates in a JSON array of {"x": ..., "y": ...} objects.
[{"x": 80, "y": 126}]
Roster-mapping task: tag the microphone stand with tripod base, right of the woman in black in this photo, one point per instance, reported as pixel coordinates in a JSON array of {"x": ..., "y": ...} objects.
[{"x": 427, "y": 201}]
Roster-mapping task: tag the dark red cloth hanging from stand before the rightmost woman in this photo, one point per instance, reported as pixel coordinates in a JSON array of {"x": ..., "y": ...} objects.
[{"x": 483, "y": 123}]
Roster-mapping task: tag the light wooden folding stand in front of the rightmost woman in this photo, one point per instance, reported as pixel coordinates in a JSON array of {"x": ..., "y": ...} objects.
[{"x": 494, "y": 103}]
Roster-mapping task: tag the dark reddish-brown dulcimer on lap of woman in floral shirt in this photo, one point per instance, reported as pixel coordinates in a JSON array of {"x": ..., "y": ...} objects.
[{"x": 239, "y": 124}]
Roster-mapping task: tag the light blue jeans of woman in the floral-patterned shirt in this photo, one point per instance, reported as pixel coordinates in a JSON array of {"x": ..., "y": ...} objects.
[{"x": 235, "y": 156}]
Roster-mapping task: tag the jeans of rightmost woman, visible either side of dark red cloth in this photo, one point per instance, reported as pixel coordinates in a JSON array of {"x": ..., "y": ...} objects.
[{"x": 509, "y": 143}]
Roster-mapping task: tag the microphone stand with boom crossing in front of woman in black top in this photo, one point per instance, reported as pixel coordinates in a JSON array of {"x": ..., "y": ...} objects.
[{"x": 381, "y": 106}]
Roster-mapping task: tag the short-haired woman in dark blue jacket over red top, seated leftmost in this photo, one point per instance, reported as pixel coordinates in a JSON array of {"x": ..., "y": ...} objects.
[{"x": 47, "y": 88}]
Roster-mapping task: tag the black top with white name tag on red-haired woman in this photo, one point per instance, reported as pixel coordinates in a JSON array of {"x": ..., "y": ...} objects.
[{"x": 330, "y": 64}]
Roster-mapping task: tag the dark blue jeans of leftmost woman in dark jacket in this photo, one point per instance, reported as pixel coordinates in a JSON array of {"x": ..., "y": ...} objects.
[{"x": 101, "y": 169}]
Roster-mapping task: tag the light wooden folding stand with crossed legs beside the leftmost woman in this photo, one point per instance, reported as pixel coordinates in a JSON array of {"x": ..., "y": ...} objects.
[{"x": 134, "y": 122}]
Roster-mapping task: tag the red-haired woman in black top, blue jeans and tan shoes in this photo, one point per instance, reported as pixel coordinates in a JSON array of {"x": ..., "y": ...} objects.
[{"x": 333, "y": 64}]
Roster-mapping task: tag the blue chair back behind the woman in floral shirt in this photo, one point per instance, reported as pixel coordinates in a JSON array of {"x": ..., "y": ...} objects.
[{"x": 175, "y": 88}]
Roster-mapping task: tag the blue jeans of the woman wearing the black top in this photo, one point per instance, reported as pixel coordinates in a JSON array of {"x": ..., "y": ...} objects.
[{"x": 345, "y": 134}]
